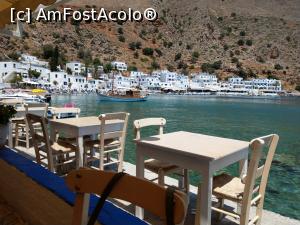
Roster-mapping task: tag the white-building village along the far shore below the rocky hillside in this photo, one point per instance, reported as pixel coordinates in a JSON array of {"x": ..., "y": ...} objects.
[{"x": 29, "y": 71}]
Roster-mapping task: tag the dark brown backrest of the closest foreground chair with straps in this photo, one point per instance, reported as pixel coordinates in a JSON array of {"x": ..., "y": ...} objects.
[{"x": 140, "y": 192}]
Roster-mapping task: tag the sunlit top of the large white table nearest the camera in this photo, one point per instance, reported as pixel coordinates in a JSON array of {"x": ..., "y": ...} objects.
[{"x": 197, "y": 145}]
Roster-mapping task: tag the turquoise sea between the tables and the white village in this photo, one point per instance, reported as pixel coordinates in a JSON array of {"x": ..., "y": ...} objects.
[{"x": 239, "y": 118}]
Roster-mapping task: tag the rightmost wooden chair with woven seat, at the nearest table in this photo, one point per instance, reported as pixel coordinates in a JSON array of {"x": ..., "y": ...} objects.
[{"x": 244, "y": 191}]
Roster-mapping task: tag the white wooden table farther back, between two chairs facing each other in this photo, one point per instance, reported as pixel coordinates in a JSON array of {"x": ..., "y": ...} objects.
[{"x": 79, "y": 127}]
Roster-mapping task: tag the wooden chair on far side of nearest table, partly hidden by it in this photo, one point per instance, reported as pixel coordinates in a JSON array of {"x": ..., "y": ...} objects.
[{"x": 156, "y": 166}]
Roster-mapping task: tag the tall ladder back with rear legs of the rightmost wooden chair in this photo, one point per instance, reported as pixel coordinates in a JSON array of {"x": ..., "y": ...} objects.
[{"x": 256, "y": 171}]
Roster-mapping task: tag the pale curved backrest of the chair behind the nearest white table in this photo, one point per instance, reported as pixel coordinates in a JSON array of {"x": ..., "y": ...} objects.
[{"x": 147, "y": 122}]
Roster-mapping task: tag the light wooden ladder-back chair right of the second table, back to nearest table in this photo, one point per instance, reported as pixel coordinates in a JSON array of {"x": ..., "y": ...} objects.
[{"x": 112, "y": 142}]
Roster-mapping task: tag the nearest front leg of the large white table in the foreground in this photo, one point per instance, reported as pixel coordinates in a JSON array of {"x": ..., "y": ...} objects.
[{"x": 203, "y": 210}]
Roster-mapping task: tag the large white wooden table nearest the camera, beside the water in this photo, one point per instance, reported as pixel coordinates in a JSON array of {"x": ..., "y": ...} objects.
[{"x": 202, "y": 153}]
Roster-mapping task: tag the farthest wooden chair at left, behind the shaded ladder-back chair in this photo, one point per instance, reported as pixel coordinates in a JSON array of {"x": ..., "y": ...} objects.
[{"x": 21, "y": 125}]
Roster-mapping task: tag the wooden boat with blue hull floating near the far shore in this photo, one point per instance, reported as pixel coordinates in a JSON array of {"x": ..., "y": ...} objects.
[{"x": 129, "y": 96}]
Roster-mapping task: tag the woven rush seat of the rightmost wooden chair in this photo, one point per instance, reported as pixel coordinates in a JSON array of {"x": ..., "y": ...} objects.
[{"x": 229, "y": 187}]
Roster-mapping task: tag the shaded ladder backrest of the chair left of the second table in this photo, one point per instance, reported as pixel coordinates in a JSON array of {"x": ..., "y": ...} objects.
[{"x": 40, "y": 138}]
